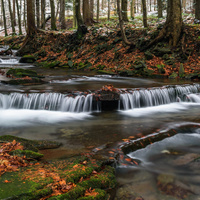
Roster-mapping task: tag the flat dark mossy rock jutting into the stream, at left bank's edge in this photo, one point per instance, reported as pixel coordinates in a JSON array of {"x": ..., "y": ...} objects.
[{"x": 32, "y": 145}]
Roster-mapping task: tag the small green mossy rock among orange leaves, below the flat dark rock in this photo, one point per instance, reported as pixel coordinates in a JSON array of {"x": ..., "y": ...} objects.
[{"x": 28, "y": 153}]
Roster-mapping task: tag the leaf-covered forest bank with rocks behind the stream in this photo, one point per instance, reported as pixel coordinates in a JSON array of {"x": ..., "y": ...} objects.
[{"x": 103, "y": 50}]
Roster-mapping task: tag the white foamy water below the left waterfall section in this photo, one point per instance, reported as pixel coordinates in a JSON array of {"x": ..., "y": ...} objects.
[{"x": 23, "y": 117}]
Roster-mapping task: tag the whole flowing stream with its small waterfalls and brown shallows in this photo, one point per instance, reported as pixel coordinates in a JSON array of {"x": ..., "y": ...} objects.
[{"x": 63, "y": 109}]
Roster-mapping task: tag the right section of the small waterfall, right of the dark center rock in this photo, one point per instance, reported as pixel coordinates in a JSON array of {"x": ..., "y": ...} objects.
[{"x": 138, "y": 98}]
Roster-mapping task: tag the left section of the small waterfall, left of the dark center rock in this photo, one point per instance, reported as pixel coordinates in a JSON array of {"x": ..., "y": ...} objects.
[{"x": 47, "y": 101}]
